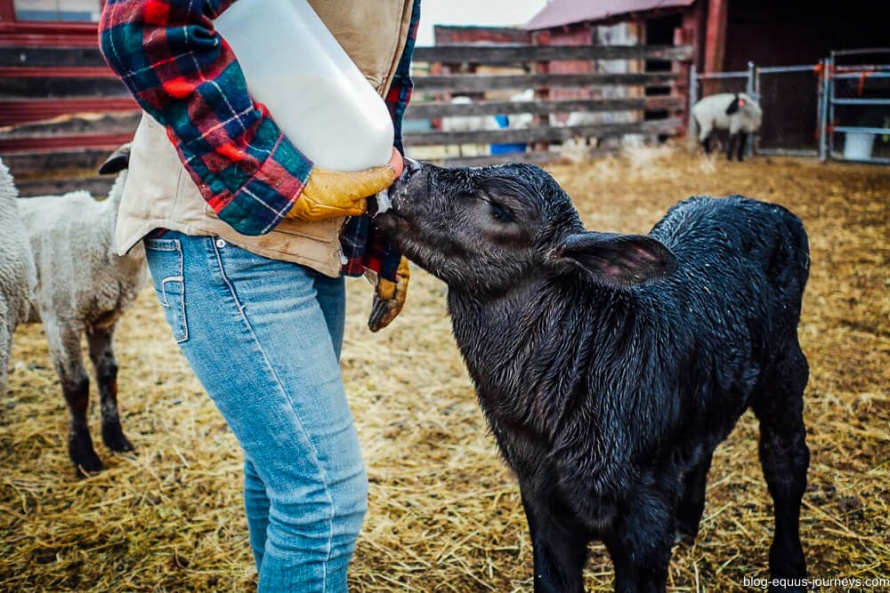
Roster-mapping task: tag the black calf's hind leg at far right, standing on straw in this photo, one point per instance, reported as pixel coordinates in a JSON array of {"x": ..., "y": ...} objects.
[{"x": 785, "y": 457}]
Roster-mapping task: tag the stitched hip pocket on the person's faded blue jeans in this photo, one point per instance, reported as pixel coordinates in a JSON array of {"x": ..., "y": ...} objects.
[{"x": 165, "y": 261}]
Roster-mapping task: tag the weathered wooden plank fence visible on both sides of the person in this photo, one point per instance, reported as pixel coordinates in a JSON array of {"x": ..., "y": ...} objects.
[{"x": 61, "y": 109}]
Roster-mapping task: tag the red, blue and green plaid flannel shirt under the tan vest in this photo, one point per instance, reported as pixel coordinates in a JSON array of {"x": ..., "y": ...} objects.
[{"x": 181, "y": 72}]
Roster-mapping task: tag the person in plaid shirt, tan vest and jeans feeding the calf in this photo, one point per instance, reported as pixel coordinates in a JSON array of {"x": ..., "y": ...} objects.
[{"x": 247, "y": 247}]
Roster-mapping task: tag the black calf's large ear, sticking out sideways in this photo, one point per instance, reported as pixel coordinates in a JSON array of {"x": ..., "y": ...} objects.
[{"x": 617, "y": 260}]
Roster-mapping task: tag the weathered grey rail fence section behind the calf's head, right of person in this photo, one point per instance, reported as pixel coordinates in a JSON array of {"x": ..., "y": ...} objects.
[{"x": 477, "y": 71}]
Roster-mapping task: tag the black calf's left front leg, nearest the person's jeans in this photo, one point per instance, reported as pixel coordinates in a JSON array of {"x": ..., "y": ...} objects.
[{"x": 559, "y": 546}]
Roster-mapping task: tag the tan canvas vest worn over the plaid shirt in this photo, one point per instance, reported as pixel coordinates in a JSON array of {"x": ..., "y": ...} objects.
[{"x": 161, "y": 194}]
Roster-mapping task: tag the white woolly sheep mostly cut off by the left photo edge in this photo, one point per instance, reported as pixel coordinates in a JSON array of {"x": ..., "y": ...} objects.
[{"x": 17, "y": 275}]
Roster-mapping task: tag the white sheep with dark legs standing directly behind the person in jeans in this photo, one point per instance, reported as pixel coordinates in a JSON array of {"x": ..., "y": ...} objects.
[{"x": 83, "y": 288}]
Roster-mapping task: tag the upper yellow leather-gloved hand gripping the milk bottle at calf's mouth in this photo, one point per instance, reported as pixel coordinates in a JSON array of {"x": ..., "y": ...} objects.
[{"x": 329, "y": 194}]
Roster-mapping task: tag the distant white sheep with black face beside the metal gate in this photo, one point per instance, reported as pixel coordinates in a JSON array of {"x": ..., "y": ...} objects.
[{"x": 736, "y": 112}]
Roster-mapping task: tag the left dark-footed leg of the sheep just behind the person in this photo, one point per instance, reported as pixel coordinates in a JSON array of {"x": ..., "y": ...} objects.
[{"x": 64, "y": 347}]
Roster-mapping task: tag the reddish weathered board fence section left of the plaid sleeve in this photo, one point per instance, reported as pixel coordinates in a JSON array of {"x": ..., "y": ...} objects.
[{"x": 62, "y": 110}]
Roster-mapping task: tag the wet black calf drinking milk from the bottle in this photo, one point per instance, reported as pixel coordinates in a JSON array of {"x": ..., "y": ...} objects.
[{"x": 610, "y": 366}]
